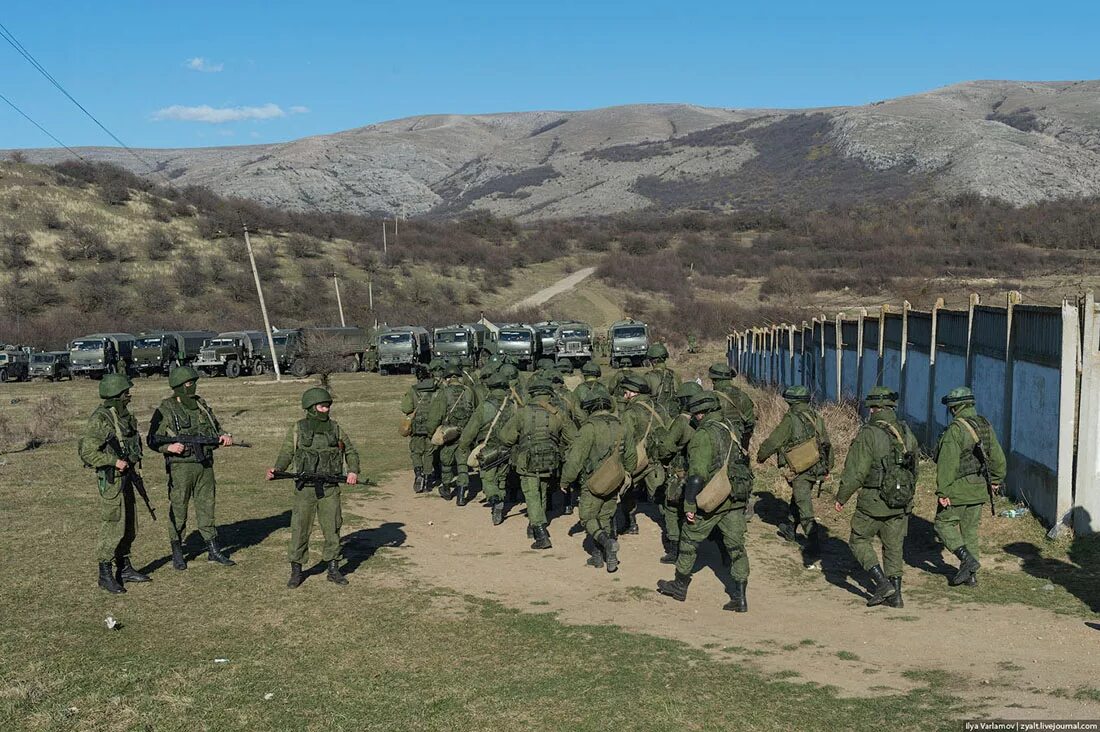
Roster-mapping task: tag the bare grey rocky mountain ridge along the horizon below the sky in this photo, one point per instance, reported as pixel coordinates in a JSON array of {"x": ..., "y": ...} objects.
[{"x": 1017, "y": 141}]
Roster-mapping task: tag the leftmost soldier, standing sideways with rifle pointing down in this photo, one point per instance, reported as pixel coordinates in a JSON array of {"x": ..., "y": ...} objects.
[{"x": 112, "y": 445}]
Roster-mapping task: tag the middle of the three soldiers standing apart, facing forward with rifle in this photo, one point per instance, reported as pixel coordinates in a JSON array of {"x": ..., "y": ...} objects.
[{"x": 191, "y": 471}]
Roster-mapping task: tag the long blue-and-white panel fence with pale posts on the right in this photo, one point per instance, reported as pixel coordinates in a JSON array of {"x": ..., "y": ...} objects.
[{"x": 1033, "y": 372}]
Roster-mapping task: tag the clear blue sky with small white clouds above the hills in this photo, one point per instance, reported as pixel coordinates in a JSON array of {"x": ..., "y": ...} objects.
[{"x": 270, "y": 72}]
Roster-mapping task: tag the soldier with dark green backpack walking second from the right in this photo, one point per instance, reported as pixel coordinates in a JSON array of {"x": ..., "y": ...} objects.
[{"x": 882, "y": 465}]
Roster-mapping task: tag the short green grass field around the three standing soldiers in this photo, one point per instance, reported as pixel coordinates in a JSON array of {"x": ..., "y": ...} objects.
[{"x": 390, "y": 652}]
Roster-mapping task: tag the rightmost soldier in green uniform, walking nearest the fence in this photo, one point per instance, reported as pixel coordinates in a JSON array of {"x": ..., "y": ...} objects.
[{"x": 970, "y": 464}]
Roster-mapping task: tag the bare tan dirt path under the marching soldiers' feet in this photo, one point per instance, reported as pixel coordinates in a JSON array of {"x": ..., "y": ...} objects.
[{"x": 1007, "y": 658}]
